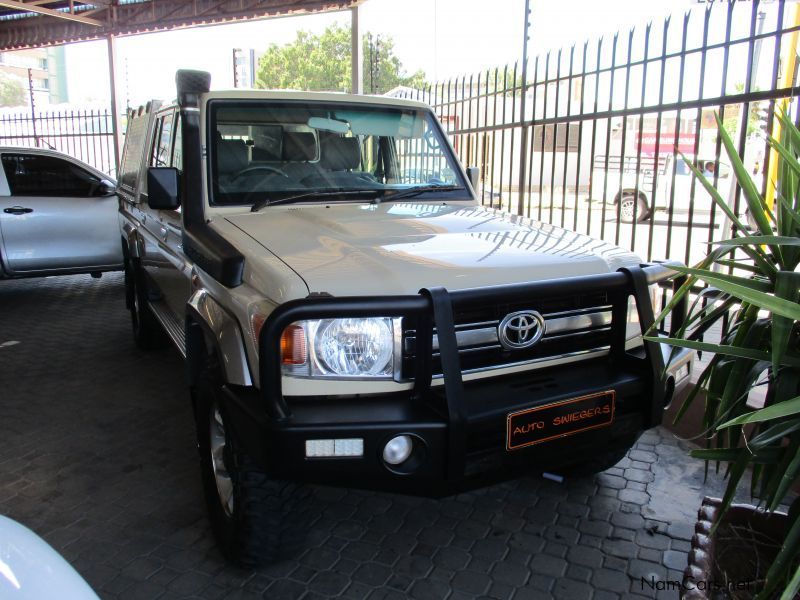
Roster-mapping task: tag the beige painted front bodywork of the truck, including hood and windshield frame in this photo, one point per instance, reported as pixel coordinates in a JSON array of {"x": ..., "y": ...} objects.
[{"x": 388, "y": 248}]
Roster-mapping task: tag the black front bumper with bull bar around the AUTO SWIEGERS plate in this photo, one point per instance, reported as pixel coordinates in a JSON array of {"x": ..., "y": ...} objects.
[{"x": 460, "y": 428}]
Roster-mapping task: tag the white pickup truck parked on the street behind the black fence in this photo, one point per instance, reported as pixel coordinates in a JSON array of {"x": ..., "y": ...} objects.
[{"x": 640, "y": 187}]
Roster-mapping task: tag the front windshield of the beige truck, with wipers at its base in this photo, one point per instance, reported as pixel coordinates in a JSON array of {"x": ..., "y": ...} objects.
[{"x": 264, "y": 151}]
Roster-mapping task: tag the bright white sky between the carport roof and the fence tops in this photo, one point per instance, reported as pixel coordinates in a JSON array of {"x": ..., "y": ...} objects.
[{"x": 444, "y": 38}]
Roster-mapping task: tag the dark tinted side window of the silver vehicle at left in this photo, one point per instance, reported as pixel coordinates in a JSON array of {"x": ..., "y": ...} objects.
[{"x": 39, "y": 175}]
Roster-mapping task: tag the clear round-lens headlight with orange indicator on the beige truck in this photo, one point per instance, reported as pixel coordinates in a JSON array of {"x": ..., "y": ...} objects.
[{"x": 346, "y": 348}]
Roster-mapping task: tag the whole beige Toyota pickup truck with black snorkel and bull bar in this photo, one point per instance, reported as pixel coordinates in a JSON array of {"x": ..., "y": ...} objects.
[{"x": 351, "y": 315}]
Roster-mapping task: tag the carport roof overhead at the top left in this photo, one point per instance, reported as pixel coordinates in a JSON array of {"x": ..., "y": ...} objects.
[{"x": 35, "y": 23}]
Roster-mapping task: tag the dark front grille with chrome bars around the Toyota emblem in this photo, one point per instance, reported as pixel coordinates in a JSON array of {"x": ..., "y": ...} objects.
[{"x": 573, "y": 324}]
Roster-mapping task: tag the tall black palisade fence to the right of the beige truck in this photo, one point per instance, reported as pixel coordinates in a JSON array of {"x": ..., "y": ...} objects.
[{"x": 585, "y": 137}]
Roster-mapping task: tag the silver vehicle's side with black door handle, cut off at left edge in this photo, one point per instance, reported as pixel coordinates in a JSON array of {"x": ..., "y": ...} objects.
[{"x": 56, "y": 215}]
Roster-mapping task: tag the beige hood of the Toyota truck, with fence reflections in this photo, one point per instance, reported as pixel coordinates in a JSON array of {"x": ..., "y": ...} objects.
[{"x": 398, "y": 248}]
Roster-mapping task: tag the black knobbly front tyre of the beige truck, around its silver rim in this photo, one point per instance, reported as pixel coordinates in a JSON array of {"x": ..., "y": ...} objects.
[{"x": 251, "y": 533}]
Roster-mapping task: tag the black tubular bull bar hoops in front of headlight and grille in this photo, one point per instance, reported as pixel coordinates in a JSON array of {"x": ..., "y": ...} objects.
[{"x": 435, "y": 307}]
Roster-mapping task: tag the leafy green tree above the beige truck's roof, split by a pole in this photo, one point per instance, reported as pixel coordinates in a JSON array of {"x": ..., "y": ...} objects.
[{"x": 322, "y": 62}]
